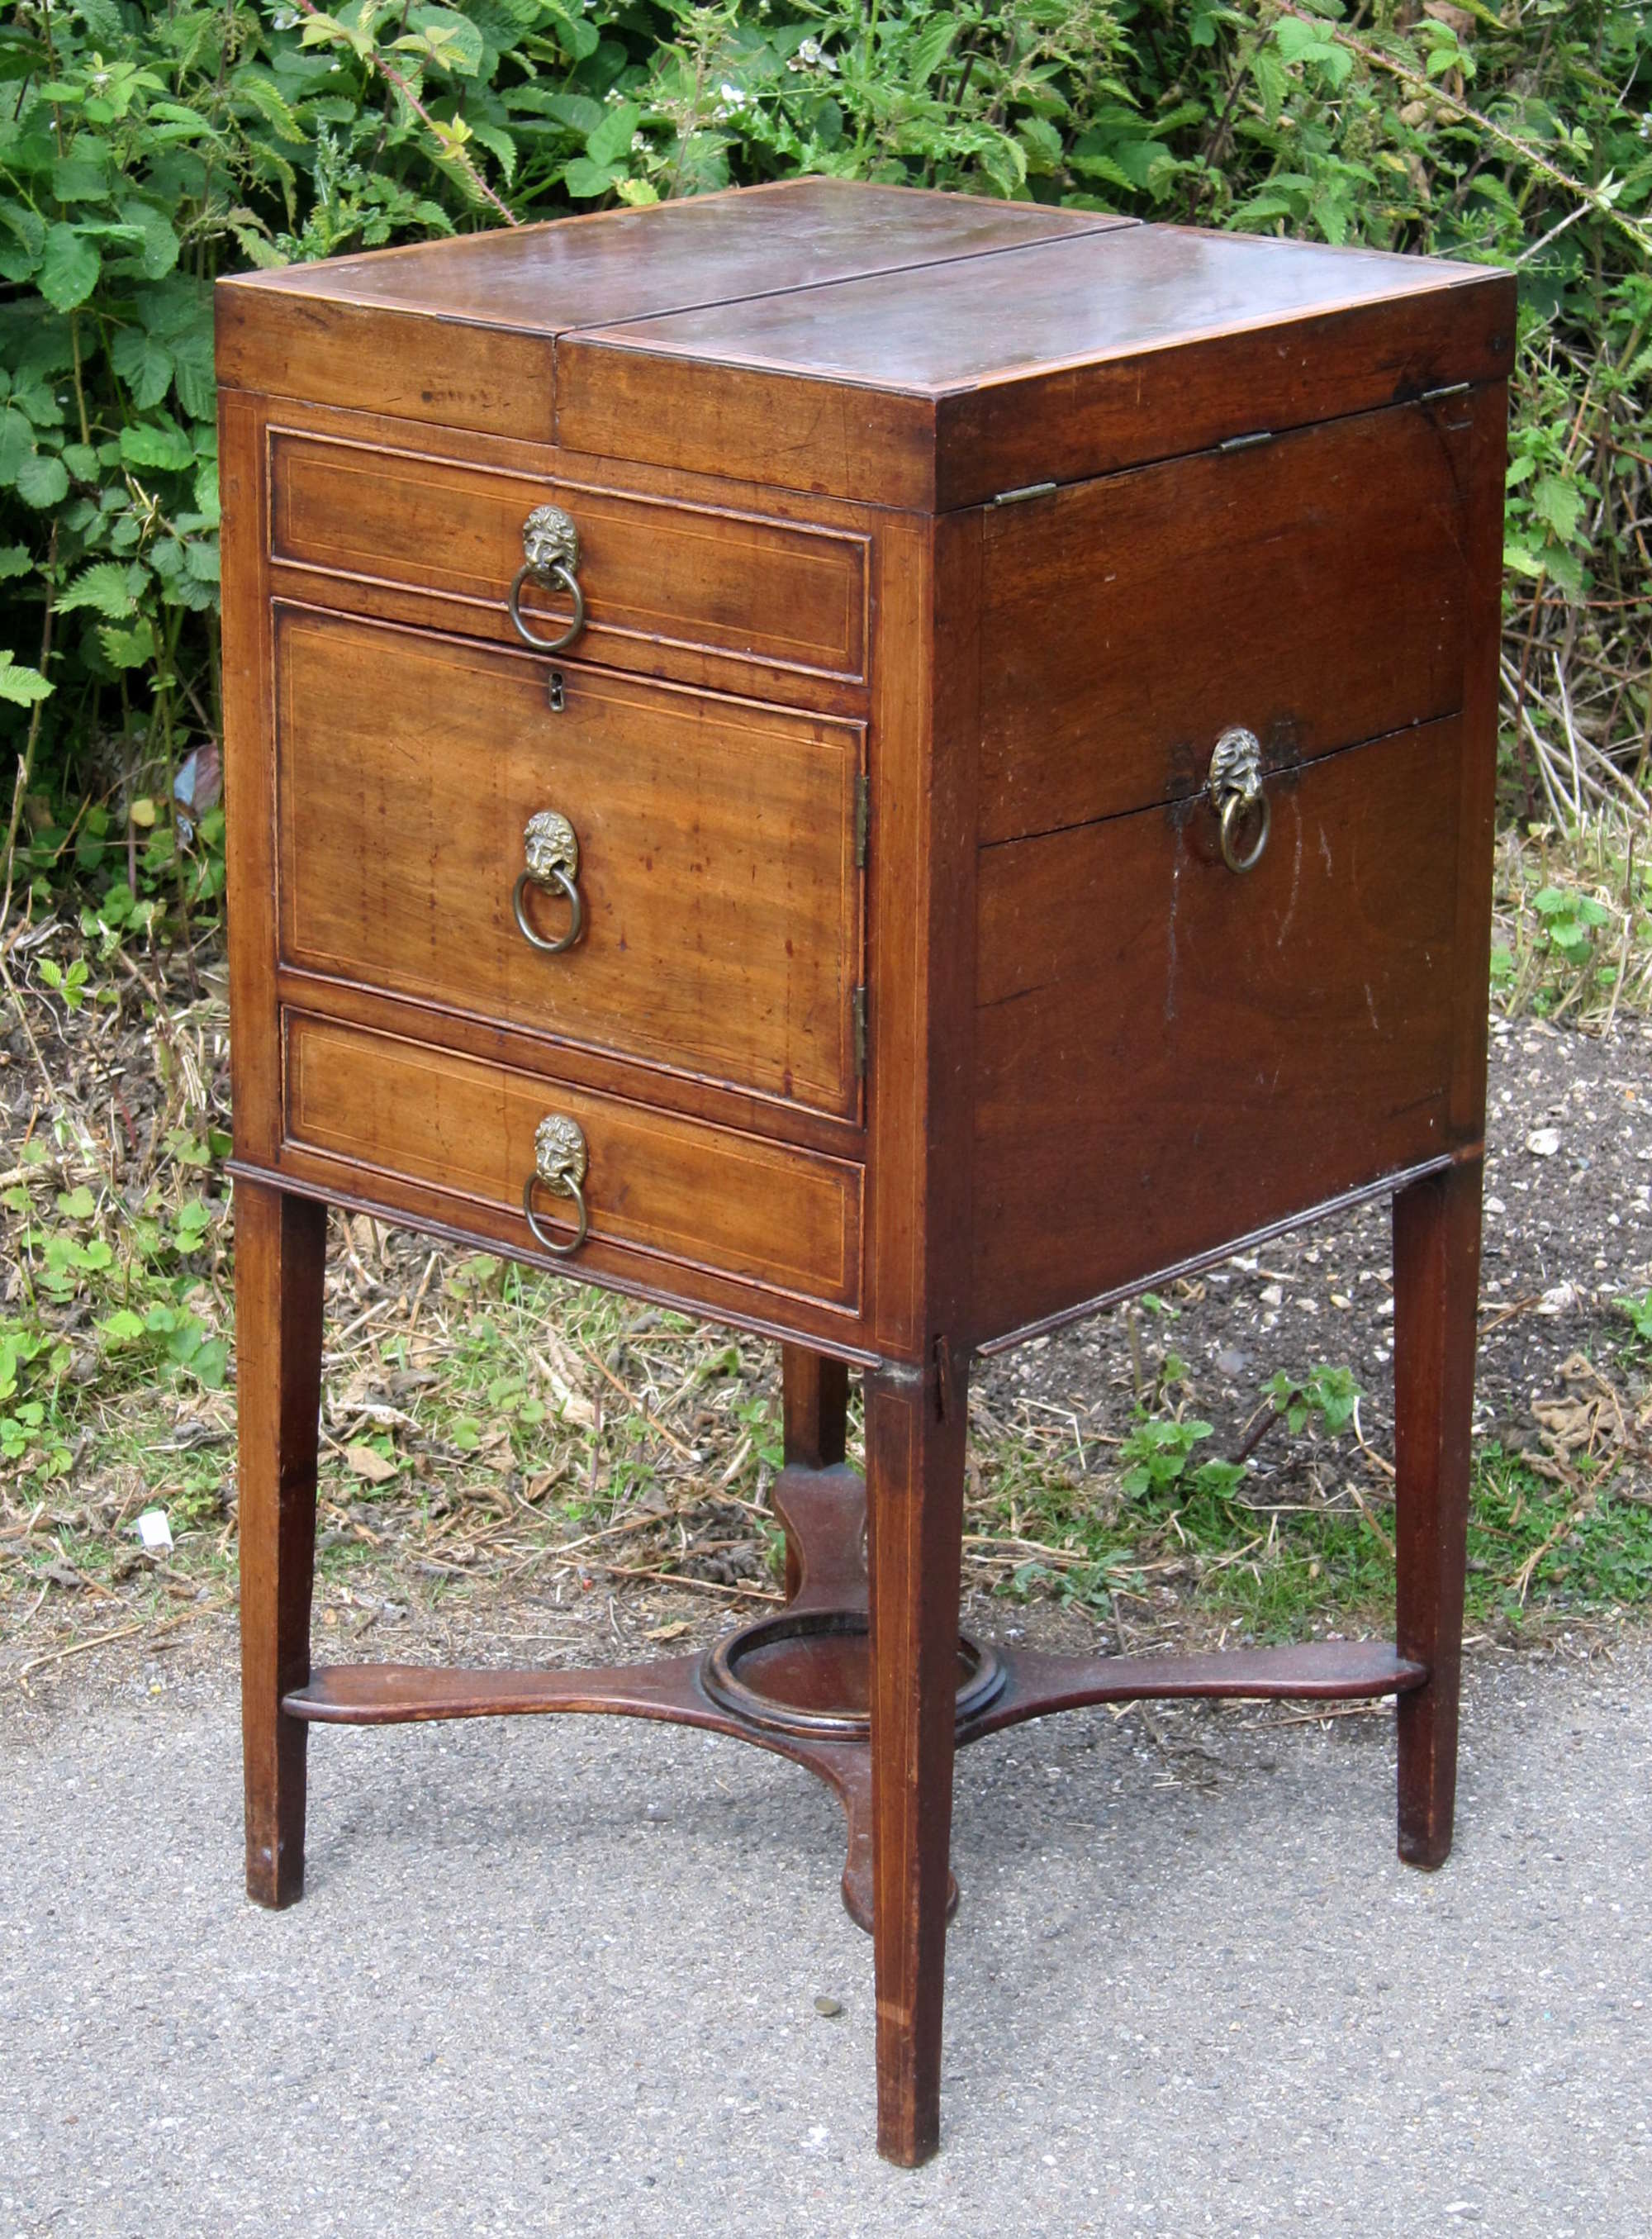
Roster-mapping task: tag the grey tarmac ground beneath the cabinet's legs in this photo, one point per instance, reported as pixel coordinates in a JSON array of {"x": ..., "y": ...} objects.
[{"x": 561, "y": 1976}]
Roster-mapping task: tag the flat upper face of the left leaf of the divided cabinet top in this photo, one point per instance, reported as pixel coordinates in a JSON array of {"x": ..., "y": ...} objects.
[{"x": 713, "y": 250}]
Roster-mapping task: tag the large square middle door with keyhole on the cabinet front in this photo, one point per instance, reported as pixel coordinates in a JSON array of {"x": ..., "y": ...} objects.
[{"x": 717, "y": 883}]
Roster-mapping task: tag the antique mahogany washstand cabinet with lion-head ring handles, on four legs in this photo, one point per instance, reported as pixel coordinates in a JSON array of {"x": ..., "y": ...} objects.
[{"x": 883, "y": 769}]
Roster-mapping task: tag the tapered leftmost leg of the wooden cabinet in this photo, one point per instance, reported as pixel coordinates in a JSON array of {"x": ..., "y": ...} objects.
[{"x": 281, "y": 1253}]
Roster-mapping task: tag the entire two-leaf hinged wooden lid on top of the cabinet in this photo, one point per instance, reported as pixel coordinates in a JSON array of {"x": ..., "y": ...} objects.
[{"x": 867, "y": 341}]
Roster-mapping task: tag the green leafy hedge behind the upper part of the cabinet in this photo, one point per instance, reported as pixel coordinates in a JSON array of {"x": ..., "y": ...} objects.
[{"x": 147, "y": 149}]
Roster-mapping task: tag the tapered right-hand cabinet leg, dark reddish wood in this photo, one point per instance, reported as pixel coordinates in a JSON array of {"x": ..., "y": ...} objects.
[{"x": 1436, "y": 1304}]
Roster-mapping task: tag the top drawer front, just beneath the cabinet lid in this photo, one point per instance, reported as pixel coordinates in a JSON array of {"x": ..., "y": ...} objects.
[{"x": 664, "y": 583}]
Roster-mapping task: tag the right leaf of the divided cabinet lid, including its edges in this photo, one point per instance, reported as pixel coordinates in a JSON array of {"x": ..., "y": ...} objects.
[{"x": 1049, "y": 364}]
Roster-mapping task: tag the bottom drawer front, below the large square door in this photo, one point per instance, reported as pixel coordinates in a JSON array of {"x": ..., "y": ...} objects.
[{"x": 420, "y": 1125}]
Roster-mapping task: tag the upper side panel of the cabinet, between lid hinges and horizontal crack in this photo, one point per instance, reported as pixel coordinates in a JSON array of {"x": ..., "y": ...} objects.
[{"x": 1308, "y": 588}]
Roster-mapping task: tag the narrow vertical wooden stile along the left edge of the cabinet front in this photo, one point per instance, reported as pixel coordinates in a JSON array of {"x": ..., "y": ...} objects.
[{"x": 250, "y": 783}]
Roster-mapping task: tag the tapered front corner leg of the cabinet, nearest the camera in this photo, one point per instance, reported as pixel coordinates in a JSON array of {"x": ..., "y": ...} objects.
[{"x": 914, "y": 1490}]
